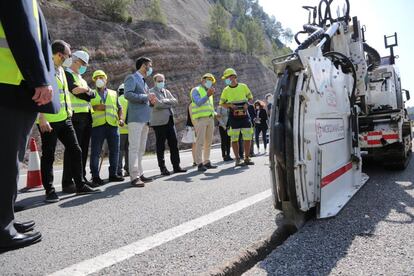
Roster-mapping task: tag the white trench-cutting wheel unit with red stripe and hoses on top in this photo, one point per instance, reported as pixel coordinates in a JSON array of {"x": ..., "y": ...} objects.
[{"x": 321, "y": 90}]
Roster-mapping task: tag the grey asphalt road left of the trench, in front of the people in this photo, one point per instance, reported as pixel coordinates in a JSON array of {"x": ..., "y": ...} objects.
[{"x": 183, "y": 224}]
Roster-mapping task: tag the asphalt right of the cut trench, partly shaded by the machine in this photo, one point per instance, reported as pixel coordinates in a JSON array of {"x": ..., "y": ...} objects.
[{"x": 373, "y": 235}]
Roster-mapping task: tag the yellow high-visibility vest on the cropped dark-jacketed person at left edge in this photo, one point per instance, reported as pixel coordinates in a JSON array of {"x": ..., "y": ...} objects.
[{"x": 9, "y": 71}]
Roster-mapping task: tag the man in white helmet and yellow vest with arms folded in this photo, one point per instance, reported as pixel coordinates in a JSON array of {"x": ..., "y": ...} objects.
[{"x": 80, "y": 98}]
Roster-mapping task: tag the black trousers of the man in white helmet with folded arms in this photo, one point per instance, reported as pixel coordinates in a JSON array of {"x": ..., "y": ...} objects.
[{"x": 82, "y": 123}]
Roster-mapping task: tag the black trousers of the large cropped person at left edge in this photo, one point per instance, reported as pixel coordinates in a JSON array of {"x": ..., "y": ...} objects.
[{"x": 16, "y": 125}]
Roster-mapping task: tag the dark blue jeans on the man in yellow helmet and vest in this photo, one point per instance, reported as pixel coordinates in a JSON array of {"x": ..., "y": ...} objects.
[{"x": 99, "y": 134}]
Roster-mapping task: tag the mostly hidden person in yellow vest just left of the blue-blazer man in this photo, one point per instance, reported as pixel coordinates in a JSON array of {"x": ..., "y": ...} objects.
[{"x": 123, "y": 134}]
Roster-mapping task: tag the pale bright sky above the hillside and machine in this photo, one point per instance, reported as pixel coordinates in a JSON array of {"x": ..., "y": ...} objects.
[{"x": 381, "y": 17}]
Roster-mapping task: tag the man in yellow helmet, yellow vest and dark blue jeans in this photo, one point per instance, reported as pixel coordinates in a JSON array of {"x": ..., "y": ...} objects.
[{"x": 105, "y": 120}]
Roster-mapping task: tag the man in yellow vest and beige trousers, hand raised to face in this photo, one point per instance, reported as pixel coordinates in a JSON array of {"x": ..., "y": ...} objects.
[{"x": 202, "y": 110}]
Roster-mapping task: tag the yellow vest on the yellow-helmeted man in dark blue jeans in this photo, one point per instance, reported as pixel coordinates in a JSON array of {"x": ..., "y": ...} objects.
[{"x": 110, "y": 115}]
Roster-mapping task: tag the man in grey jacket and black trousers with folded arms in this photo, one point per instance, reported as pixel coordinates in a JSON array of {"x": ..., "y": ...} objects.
[{"x": 162, "y": 121}]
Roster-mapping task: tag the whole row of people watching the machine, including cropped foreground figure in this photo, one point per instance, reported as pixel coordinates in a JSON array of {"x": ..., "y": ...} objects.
[{"x": 42, "y": 82}]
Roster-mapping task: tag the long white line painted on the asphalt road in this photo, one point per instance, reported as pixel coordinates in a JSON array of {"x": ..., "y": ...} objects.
[{"x": 123, "y": 253}]
